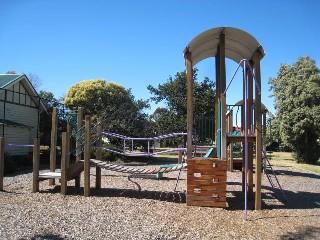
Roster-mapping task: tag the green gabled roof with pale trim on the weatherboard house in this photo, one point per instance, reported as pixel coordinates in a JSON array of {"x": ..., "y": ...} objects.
[{"x": 7, "y": 80}]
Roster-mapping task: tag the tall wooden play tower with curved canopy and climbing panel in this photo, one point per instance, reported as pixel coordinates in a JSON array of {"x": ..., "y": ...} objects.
[{"x": 244, "y": 49}]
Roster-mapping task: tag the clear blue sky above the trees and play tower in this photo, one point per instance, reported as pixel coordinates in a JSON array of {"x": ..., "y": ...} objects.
[{"x": 137, "y": 43}]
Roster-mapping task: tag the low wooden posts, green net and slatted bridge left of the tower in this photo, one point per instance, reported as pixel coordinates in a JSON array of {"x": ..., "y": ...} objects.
[{"x": 86, "y": 138}]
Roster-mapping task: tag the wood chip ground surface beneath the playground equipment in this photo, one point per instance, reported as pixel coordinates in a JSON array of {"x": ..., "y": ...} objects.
[{"x": 143, "y": 207}]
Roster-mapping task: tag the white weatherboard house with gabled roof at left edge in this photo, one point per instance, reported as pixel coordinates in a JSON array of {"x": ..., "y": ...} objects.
[{"x": 20, "y": 108}]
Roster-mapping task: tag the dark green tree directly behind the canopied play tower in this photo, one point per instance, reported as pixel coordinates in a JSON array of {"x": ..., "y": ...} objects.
[{"x": 174, "y": 94}]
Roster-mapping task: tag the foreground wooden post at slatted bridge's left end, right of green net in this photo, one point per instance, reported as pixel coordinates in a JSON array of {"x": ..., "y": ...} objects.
[{"x": 87, "y": 153}]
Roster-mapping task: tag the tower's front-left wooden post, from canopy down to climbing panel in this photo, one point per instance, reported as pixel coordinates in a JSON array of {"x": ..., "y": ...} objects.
[{"x": 188, "y": 63}]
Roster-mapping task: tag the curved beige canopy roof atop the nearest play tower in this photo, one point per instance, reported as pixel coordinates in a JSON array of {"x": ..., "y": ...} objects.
[{"x": 238, "y": 44}]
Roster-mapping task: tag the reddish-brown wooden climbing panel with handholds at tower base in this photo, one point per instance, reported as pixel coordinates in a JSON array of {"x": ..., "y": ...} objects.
[{"x": 206, "y": 182}]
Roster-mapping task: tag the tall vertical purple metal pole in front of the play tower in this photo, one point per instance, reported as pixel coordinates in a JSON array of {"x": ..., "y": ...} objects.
[{"x": 245, "y": 138}]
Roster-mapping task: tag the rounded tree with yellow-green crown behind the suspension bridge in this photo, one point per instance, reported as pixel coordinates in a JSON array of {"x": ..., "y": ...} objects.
[{"x": 121, "y": 112}]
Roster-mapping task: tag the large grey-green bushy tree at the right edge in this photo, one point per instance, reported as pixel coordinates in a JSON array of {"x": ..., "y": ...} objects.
[{"x": 297, "y": 100}]
